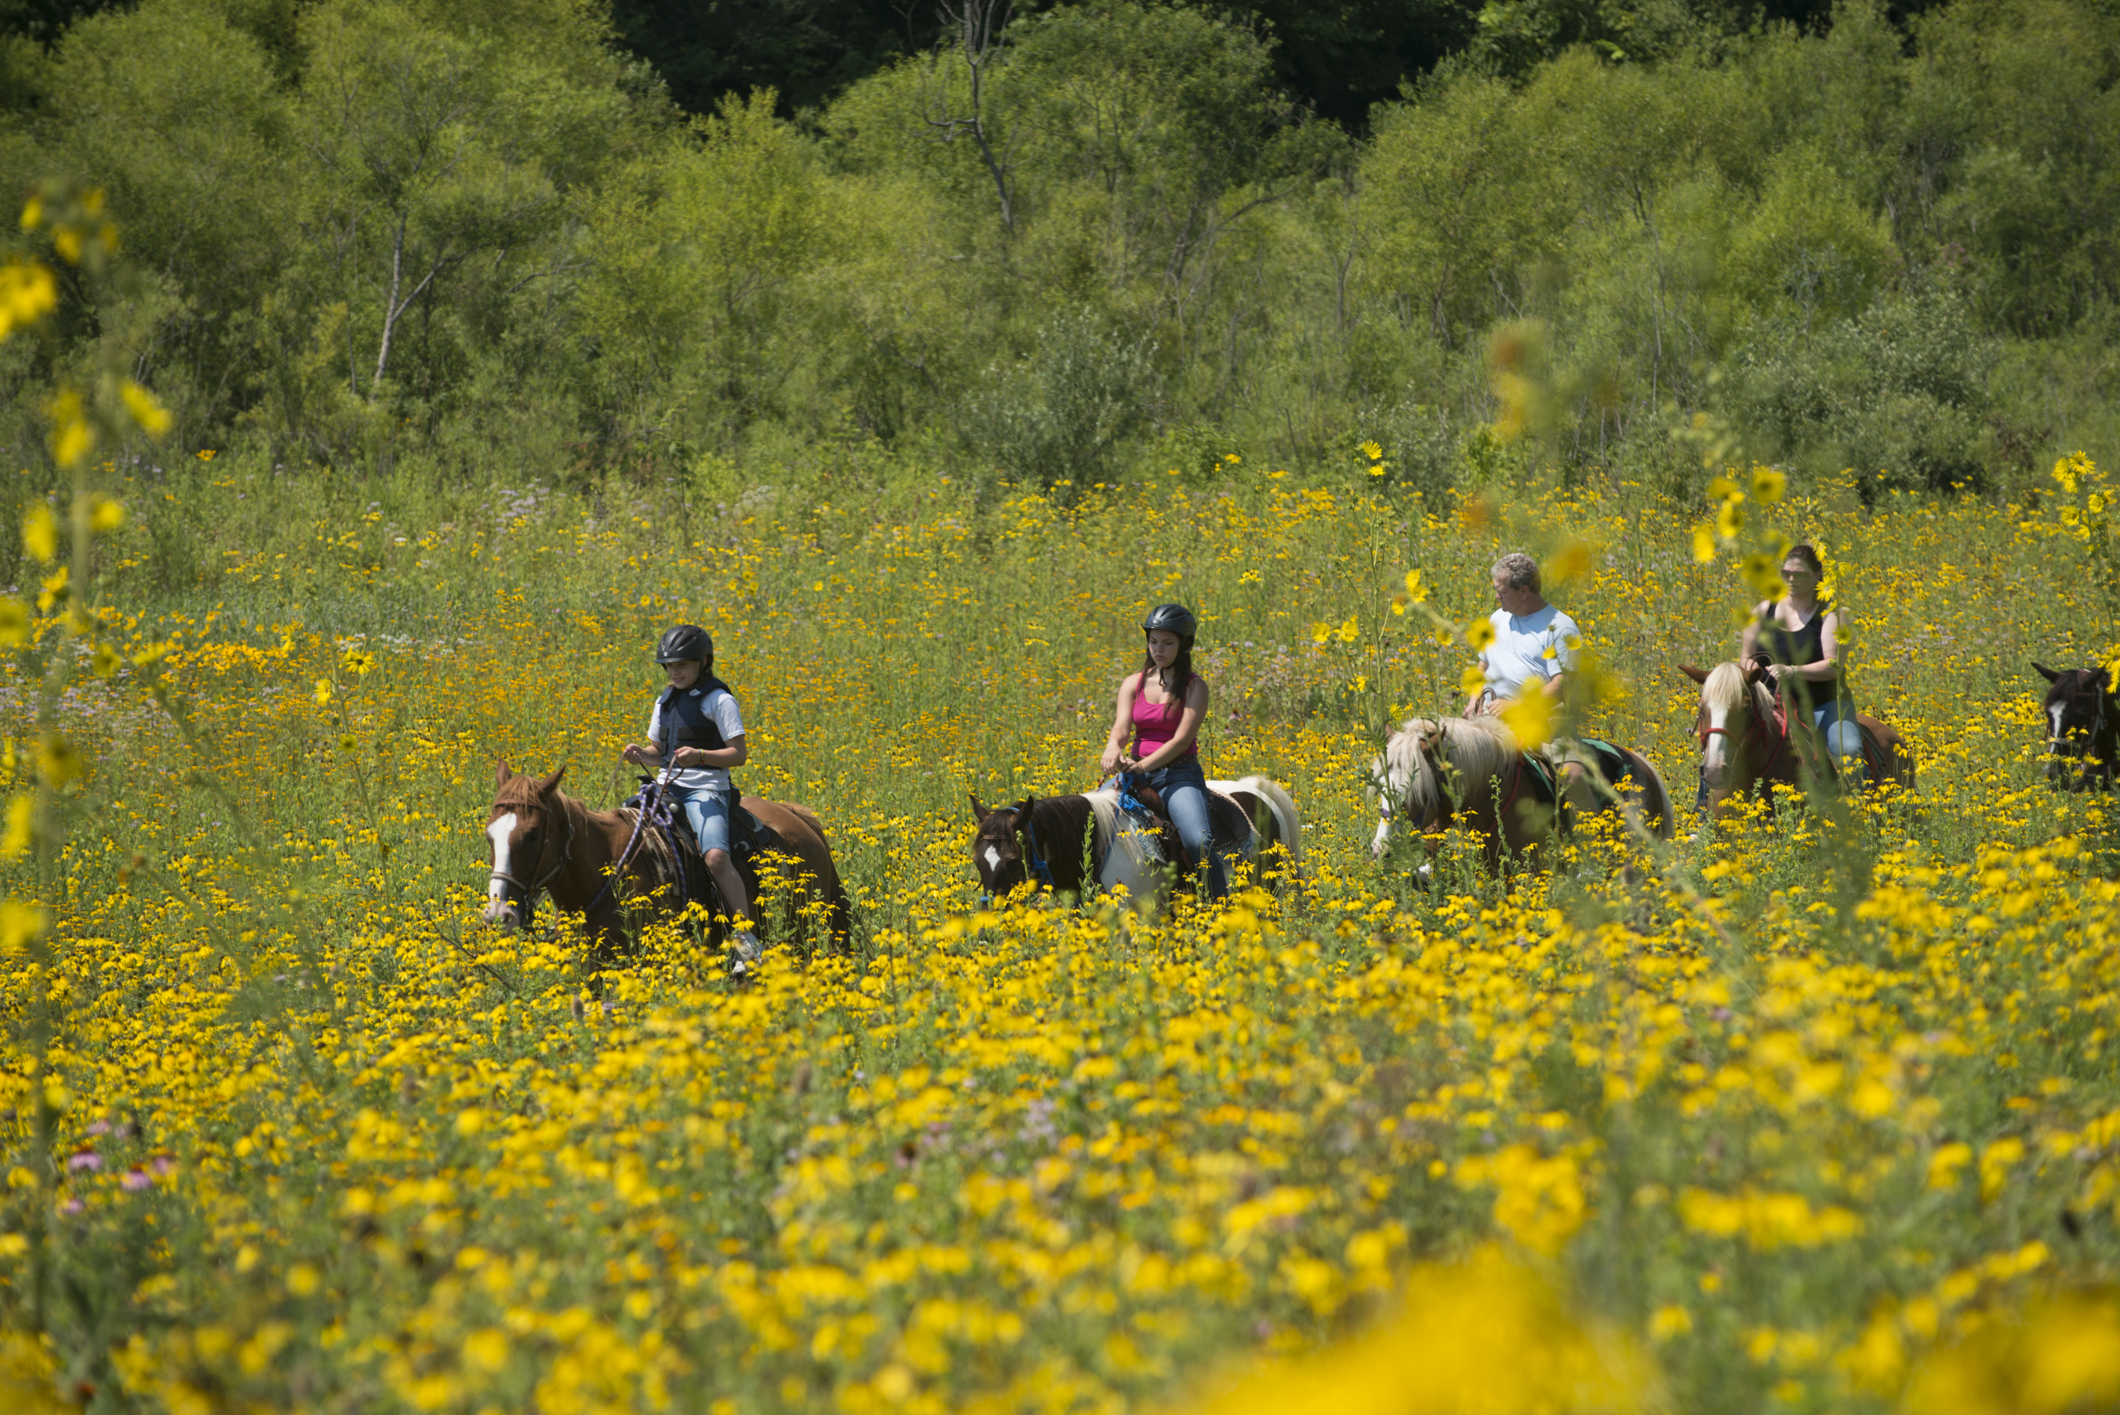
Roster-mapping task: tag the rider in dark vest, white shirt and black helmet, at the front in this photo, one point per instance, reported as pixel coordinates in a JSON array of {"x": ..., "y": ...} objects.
[{"x": 699, "y": 737}]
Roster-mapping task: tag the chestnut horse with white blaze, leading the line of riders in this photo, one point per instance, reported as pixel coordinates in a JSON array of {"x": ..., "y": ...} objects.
[{"x": 546, "y": 841}]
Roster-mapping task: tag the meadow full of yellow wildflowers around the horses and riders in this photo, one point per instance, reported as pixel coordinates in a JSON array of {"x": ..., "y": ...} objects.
[{"x": 1790, "y": 1117}]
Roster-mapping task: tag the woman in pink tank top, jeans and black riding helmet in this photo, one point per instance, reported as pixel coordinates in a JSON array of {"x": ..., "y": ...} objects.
[{"x": 1163, "y": 710}]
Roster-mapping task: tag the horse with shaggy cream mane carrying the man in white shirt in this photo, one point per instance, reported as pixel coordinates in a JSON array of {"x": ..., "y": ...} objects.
[{"x": 1472, "y": 773}]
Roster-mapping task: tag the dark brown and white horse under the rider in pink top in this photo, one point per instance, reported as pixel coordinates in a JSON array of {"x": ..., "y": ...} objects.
[{"x": 1040, "y": 839}]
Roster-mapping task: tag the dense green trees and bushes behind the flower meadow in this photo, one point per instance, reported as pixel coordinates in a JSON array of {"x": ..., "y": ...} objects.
[{"x": 1065, "y": 243}]
